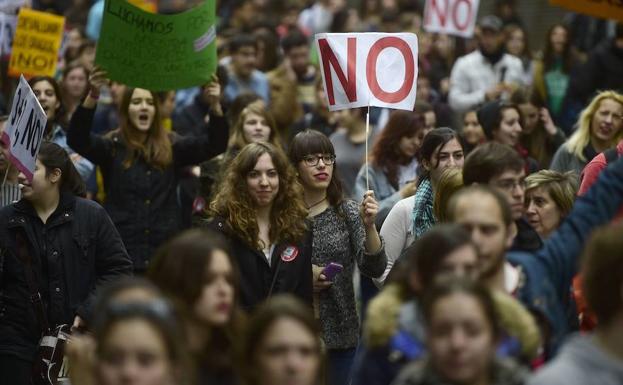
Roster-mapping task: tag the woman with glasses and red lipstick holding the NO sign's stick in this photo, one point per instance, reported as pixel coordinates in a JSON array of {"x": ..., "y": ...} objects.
[{"x": 344, "y": 233}]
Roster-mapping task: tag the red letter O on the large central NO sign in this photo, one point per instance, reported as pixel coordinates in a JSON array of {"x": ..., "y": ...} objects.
[{"x": 373, "y": 83}]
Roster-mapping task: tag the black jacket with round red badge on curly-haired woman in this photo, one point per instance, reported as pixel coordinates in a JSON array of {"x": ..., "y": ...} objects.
[{"x": 285, "y": 274}]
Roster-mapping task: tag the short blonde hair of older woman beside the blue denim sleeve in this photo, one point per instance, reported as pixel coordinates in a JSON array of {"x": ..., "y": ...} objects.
[{"x": 562, "y": 187}]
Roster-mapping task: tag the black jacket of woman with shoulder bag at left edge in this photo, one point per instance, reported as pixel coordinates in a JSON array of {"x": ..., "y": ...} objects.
[{"x": 73, "y": 253}]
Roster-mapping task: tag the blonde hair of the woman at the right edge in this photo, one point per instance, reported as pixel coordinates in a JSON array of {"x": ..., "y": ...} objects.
[{"x": 582, "y": 135}]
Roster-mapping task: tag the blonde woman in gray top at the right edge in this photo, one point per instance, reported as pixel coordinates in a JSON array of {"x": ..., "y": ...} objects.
[{"x": 599, "y": 128}]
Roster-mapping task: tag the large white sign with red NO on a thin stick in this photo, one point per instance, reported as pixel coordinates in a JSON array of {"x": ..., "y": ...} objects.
[{"x": 376, "y": 69}]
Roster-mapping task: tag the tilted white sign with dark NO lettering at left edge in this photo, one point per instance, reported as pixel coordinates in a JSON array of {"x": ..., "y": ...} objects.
[{"x": 24, "y": 129}]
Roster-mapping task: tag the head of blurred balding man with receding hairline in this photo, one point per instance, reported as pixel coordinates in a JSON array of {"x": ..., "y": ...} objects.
[{"x": 485, "y": 214}]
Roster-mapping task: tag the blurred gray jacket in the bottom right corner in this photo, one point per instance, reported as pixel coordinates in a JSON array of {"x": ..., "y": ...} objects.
[{"x": 581, "y": 362}]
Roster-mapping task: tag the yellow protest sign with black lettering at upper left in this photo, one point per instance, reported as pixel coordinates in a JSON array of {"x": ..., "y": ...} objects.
[{"x": 37, "y": 39}]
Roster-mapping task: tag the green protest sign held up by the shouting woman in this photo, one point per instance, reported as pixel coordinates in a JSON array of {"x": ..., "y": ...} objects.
[{"x": 157, "y": 52}]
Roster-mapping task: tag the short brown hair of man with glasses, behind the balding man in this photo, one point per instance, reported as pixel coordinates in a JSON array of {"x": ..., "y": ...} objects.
[{"x": 488, "y": 161}]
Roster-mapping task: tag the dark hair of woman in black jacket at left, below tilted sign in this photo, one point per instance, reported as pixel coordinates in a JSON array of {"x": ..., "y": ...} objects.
[{"x": 52, "y": 156}]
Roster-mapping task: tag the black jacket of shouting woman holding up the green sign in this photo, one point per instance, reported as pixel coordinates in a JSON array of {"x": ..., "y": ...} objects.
[{"x": 142, "y": 200}]
